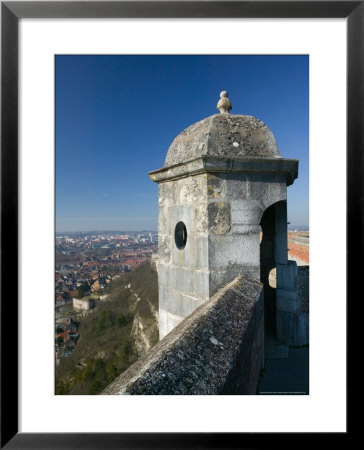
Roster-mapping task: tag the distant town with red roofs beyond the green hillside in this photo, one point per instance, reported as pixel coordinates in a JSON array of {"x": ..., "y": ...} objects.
[{"x": 86, "y": 263}]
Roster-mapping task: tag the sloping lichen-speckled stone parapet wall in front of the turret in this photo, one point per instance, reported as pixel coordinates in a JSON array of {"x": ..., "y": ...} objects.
[{"x": 218, "y": 349}]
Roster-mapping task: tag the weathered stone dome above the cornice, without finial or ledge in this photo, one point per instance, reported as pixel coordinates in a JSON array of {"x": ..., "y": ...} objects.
[{"x": 223, "y": 135}]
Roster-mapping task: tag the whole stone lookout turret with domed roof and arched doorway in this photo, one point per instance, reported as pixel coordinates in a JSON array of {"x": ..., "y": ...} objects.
[{"x": 223, "y": 183}]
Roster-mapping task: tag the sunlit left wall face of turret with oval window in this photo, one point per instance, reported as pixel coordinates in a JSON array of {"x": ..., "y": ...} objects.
[{"x": 182, "y": 274}]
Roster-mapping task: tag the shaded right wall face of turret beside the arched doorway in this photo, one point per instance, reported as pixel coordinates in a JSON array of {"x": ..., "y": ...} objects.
[{"x": 236, "y": 202}]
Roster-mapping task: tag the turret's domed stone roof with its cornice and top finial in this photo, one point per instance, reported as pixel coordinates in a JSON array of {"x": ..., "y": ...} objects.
[{"x": 225, "y": 143}]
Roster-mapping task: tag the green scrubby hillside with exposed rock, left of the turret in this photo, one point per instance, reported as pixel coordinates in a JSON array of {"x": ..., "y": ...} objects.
[{"x": 114, "y": 335}]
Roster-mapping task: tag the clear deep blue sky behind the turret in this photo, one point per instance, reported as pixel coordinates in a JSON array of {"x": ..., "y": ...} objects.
[{"x": 116, "y": 116}]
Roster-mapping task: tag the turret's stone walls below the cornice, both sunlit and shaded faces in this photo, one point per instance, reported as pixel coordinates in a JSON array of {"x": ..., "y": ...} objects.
[{"x": 221, "y": 213}]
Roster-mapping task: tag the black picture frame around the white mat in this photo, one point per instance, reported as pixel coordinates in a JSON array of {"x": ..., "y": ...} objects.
[{"x": 11, "y": 12}]
